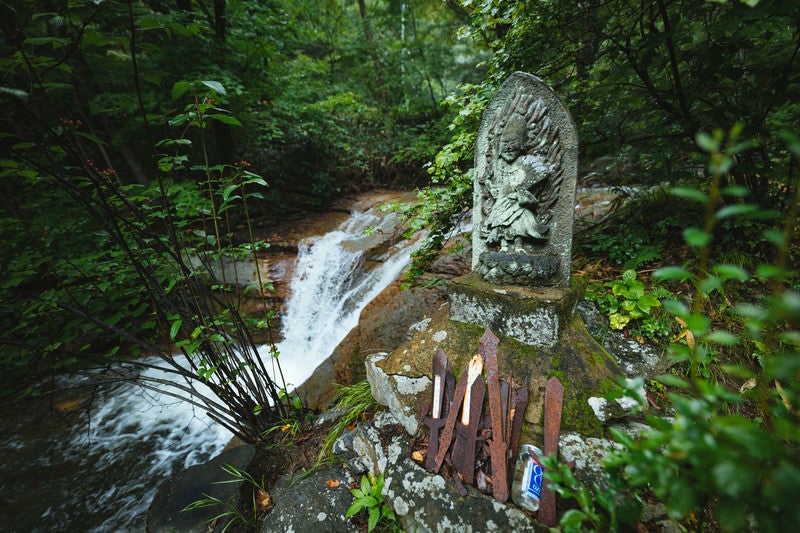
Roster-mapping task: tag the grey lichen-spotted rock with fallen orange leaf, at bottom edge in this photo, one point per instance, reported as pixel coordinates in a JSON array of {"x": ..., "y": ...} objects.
[{"x": 311, "y": 503}]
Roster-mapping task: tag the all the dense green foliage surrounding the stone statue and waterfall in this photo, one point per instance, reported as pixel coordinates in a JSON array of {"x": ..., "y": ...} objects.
[{"x": 136, "y": 135}]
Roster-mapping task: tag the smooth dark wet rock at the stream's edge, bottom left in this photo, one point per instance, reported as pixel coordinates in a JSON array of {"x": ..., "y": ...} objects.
[{"x": 165, "y": 514}]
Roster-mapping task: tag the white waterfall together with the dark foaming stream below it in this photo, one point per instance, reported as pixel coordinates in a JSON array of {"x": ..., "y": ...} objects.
[{"x": 92, "y": 461}]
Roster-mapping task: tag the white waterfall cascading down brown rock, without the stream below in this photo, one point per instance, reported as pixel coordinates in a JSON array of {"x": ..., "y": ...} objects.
[{"x": 331, "y": 287}]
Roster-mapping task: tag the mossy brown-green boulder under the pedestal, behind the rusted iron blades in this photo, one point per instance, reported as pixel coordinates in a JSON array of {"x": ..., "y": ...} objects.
[{"x": 583, "y": 366}]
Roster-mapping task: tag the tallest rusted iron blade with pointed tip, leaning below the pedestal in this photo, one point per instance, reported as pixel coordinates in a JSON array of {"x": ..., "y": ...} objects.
[{"x": 498, "y": 447}]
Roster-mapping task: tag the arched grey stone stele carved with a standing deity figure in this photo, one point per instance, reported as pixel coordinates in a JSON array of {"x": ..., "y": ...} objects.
[{"x": 526, "y": 162}]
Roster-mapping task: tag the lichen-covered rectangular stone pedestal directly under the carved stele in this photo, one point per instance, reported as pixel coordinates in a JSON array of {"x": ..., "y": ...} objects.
[{"x": 533, "y": 316}]
